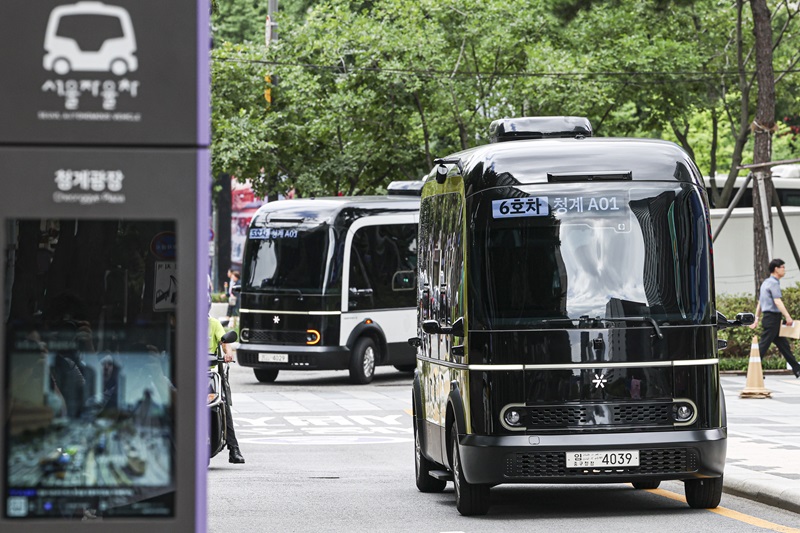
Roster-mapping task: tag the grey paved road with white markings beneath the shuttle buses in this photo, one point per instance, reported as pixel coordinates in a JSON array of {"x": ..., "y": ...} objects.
[{"x": 325, "y": 455}]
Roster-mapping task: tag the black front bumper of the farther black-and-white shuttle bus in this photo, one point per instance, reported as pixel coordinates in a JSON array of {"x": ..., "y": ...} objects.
[{"x": 299, "y": 357}]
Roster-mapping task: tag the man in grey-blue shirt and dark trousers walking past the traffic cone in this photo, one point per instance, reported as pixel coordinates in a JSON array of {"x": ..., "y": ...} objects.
[{"x": 771, "y": 308}]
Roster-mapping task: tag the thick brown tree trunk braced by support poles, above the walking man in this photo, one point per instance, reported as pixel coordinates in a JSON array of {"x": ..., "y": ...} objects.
[{"x": 762, "y": 127}]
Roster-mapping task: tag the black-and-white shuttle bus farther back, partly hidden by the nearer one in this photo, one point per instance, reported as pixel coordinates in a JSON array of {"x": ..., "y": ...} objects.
[{"x": 329, "y": 284}]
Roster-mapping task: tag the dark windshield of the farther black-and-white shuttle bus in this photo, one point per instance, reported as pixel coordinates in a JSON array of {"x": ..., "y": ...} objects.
[{"x": 289, "y": 260}]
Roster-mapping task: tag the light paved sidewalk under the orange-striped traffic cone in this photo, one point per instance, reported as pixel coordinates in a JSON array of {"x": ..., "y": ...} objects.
[{"x": 764, "y": 442}]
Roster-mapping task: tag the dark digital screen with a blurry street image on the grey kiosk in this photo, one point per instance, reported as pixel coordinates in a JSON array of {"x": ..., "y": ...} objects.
[{"x": 89, "y": 313}]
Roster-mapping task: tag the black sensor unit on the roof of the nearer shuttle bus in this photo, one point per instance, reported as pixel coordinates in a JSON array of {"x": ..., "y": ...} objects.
[{"x": 523, "y": 128}]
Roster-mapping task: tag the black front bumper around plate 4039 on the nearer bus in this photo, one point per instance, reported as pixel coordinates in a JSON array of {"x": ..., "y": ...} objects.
[{"x": 542, "y": 459}]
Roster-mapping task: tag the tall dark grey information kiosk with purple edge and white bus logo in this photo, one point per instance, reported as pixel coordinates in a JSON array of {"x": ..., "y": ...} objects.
[{"x": 103, "y": 225}]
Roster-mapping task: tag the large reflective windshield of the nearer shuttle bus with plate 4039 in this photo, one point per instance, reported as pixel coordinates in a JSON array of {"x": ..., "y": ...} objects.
[{"x": 556, "y": 254}]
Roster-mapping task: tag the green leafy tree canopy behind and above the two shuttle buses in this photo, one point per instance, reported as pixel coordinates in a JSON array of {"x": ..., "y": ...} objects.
[{"x": 364, "y": 93}]
